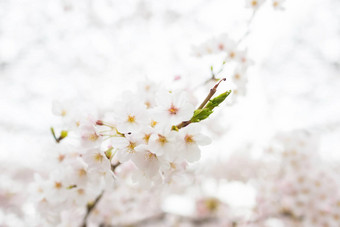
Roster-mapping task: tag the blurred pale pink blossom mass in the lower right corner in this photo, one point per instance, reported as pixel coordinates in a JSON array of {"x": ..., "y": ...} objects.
[{"x": 304, "y": 190}]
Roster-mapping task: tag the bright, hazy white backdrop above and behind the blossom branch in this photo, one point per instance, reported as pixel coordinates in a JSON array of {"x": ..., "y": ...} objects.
[{"x": 92, "y": 50}]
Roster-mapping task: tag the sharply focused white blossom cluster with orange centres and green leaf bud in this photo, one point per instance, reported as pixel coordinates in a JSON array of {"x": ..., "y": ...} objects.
[{"x": 147, "y": 139}]
